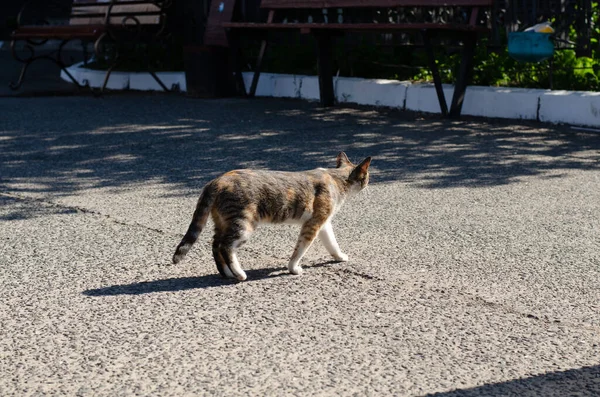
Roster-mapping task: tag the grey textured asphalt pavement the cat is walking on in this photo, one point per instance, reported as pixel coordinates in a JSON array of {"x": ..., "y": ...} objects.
[{"x": 474, "y": 263}]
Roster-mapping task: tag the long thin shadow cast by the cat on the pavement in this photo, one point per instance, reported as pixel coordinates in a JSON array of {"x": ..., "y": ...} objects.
[{"x": 185, "y": 283}]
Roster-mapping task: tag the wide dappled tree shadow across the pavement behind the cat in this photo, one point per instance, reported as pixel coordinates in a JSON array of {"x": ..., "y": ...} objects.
[{"x": 60, "y": 146}]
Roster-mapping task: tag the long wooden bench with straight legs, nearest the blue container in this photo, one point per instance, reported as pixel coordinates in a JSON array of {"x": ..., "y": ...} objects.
[{"x": 466, "y": 29}]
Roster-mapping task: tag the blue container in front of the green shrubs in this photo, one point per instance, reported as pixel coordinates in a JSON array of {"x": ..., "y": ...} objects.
[{"x": 530, "y": 46}]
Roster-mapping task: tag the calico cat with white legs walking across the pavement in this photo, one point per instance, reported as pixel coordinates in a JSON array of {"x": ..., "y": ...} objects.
[{"x": 240, "y": 200}]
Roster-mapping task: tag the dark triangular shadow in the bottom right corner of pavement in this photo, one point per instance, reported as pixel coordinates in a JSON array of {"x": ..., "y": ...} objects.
[{"x": 575, "y": 382}]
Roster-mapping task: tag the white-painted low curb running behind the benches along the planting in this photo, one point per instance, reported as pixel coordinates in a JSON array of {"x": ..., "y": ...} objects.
[{"x": 571, "y": 107}]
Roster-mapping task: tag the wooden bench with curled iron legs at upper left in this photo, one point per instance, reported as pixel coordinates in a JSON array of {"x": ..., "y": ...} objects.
[{"x": 111, "y": 25}]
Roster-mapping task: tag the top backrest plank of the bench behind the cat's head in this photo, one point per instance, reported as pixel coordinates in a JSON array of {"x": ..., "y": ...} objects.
[{"x": 370, "y": 3}]
